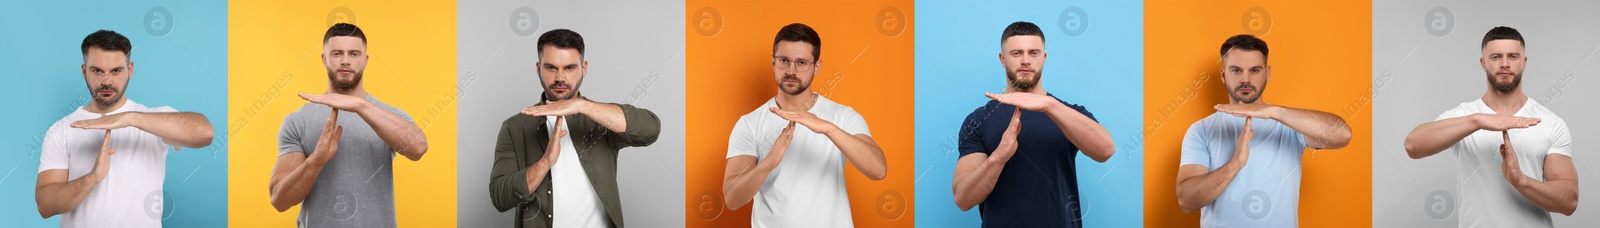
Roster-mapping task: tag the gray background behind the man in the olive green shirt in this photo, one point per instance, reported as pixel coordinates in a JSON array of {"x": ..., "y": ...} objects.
[{"x": 636, "y": 55}]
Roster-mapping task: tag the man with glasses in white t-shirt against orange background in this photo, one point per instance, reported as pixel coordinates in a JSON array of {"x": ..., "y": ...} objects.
[{"x": 809, "y": 189}]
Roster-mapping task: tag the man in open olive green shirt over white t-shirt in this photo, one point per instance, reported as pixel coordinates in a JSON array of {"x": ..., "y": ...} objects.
[{"x": 572, "y": 157}]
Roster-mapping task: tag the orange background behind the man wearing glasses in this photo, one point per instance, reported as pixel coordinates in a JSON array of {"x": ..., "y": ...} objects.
[{"x": 730, "y": 75}]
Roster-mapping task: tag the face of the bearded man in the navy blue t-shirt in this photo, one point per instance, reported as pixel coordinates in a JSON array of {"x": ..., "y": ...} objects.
[{"x": 1025, "y": 60}]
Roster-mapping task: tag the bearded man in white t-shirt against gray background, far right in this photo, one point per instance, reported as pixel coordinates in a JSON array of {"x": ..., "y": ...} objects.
[{"x": 1516, "y": 157}]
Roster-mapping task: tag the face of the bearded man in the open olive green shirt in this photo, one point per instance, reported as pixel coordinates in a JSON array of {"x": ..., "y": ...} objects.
[{"x": 562, "y": 71}]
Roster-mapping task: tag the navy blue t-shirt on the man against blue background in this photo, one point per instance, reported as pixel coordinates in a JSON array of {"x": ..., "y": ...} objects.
[{"x": 1039, "y": 187}]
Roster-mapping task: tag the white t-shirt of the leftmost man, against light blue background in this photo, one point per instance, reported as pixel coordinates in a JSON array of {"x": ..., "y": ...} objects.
[{"x": 132, "y": 192}]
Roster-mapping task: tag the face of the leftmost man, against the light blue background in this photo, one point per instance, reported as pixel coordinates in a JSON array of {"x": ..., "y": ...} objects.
[{"x": 106, "y": 75}]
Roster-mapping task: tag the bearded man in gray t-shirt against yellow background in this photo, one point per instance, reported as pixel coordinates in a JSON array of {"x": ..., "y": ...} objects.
[{"x": 343, "y": 181}]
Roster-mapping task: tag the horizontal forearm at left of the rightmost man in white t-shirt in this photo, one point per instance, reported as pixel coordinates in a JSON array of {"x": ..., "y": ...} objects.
[{"x": 1433, "y": 137}]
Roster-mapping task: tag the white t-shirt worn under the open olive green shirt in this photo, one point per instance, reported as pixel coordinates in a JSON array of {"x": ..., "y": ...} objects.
[{"x": 575, "y": 195}]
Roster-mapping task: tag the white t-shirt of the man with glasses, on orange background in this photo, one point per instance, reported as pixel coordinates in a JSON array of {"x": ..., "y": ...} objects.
[{"x": 809, "y": 185}]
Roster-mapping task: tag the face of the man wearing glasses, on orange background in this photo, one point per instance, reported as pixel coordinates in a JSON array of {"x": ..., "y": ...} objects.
[{"x": 794, "y": 68}]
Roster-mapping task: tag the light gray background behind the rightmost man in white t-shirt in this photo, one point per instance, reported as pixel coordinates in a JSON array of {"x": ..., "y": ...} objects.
[{"x": 1422, "y": 71}]
